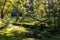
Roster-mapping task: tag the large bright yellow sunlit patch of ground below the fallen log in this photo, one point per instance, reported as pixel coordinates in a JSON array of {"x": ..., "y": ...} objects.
[{"x": 9, "y": 31}]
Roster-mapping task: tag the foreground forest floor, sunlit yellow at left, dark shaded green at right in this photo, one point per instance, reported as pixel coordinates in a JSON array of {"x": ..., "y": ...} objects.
[{"x": 27, "y": 32}]
